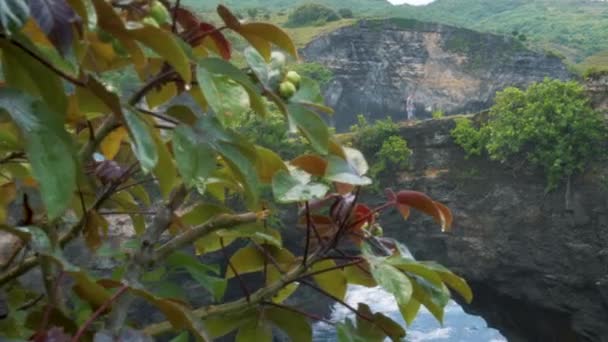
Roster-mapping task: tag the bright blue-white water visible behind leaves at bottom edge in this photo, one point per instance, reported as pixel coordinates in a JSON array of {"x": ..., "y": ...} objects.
[{"x": 458, "y": 325}]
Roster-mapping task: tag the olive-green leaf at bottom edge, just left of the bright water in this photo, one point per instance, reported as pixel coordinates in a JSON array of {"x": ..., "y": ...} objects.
[{"x": 295, "y": 325}]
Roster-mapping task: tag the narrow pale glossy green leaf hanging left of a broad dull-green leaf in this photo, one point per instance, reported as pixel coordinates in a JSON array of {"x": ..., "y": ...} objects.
[{"x": 143, "y": 144}]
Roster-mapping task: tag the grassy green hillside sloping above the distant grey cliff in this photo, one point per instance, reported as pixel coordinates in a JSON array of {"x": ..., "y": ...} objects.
[{"x": 575, "y": 28}]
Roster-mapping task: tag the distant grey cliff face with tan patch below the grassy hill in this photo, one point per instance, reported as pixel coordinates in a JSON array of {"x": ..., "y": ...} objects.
[{"x": 378, "y": 64}]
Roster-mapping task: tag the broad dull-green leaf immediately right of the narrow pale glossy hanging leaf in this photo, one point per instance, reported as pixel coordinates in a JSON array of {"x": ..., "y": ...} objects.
[{"x": 194, "y": 160}]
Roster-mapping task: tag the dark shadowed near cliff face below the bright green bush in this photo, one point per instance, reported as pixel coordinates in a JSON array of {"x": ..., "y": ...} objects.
[{"x": 538, "y": 270}]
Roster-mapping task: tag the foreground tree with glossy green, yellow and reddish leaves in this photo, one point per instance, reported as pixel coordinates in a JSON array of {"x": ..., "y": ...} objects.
[{"x": 86, "y": 150}]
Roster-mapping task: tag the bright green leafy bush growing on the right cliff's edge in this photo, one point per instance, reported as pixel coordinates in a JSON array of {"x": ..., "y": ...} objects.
[{"x": 551, "y": 125}]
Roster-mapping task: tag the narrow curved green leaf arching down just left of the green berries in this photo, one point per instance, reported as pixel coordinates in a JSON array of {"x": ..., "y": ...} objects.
[{"x": 219, "y": 66}]
